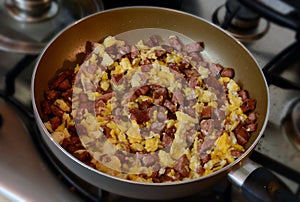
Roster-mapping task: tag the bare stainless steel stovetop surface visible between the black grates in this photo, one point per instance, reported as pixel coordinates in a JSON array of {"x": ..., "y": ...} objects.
[{"x": 24, "y": 173}]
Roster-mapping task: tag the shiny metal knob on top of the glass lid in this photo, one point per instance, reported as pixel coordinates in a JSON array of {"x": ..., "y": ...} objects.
[{"x": 31, "y": 10}]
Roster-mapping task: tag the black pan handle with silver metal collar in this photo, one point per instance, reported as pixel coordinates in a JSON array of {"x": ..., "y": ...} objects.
[{"x": 259, "y": 184}]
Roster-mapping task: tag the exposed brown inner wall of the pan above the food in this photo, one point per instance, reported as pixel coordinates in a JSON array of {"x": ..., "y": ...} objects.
[{"x": 220, "y": 47}]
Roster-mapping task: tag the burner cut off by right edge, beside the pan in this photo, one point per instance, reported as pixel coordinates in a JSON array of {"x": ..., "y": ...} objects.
[{"x": 291, "y": 124}]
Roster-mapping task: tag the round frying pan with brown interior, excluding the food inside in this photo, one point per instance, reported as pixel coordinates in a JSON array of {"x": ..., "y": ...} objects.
[{"x": 220, "y": 47}]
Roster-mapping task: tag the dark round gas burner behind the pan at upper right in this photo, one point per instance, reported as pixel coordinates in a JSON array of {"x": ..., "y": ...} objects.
[{"x": 240, "y": 22}]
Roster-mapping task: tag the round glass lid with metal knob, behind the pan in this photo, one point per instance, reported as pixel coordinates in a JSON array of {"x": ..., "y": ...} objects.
[{"x": 28, "y": 25}]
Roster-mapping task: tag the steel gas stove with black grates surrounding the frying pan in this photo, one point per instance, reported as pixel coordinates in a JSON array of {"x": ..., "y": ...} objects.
[{"x": 29, "y": 172}]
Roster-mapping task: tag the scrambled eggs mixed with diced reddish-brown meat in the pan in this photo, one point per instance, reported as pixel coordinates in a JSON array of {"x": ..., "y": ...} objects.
[{"x": 150, "y": 111}]
